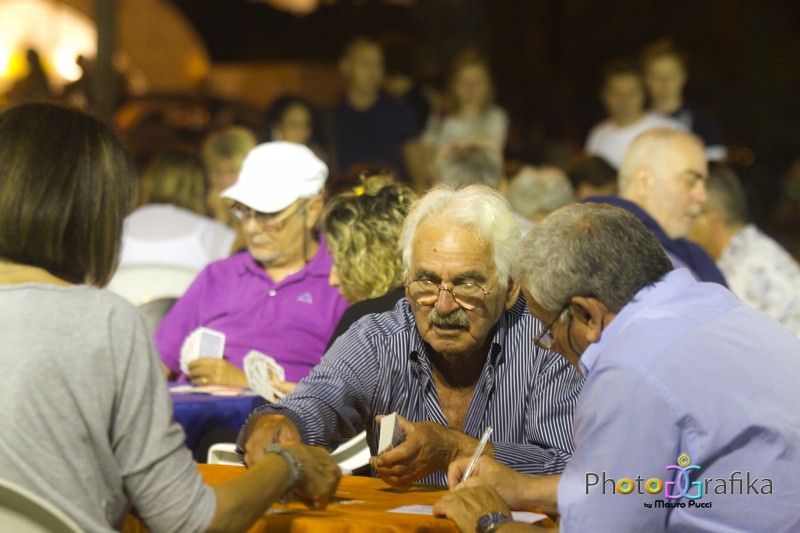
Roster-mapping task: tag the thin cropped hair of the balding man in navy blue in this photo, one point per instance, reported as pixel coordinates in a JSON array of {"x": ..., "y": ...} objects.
[{"x": 650, "y": 150}]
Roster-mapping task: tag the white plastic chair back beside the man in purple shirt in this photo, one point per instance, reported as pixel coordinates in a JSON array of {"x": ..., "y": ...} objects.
[{"x": 143, "y": 283}]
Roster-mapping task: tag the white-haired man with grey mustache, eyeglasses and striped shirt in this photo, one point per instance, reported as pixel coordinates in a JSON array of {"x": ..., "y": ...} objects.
[{"x": 453, "y": 358}]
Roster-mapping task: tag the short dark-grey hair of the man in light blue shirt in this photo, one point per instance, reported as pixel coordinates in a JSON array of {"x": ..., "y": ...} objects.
[{"x": 593, "y": 250}]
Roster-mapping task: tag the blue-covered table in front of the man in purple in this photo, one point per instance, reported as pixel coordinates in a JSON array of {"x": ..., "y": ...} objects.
[{"x": 199, "y": 414}]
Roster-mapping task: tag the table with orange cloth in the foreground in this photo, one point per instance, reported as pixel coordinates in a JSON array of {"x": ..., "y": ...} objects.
[{"x": 360, "y": 507}]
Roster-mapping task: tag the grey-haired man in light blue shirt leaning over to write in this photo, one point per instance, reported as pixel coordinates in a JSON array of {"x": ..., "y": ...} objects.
[{"x": 688, "y": 419}]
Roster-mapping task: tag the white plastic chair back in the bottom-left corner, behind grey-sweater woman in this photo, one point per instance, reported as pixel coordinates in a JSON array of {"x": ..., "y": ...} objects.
[{"x": 22, "y": 511}]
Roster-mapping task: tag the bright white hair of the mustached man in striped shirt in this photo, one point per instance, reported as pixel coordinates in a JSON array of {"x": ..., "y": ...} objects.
[{"x": 476, "y": 207}]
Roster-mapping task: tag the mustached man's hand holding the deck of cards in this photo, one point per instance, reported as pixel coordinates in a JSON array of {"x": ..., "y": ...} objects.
[{"x": 427, "y": 447}]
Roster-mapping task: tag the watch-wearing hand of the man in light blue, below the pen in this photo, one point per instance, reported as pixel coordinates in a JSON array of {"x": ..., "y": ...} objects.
[{"x": 466, "y": 505}]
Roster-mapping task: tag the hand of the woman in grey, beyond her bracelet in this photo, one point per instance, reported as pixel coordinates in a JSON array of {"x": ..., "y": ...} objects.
[{"x": 320, "y": 476}]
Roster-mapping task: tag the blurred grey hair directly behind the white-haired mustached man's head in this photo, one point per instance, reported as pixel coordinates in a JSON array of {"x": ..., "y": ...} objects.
[{"x": 470, "y": 163}]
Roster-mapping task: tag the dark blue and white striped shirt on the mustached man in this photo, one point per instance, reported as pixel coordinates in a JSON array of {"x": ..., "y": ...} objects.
[{"x": 381, "y": 365}]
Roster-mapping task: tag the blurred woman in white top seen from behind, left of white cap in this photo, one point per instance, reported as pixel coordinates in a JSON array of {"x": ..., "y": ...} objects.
[{"x": 170, "y": 226}]
